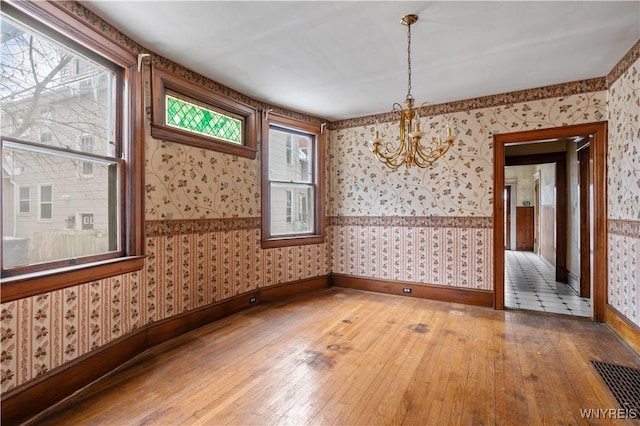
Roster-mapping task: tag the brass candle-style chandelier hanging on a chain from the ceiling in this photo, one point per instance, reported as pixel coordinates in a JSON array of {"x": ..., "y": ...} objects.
[{"x": 411, "y": 150}]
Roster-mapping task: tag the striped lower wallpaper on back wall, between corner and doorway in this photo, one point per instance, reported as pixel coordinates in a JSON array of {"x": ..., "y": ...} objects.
[{"x": 457, "y": 257}]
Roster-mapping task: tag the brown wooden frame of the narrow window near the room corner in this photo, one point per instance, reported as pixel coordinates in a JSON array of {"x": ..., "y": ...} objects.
[{"x": 318, "y": 236}]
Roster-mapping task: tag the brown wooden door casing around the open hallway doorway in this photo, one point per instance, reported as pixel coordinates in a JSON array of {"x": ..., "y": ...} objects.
[{"x": 598, "y": 137}]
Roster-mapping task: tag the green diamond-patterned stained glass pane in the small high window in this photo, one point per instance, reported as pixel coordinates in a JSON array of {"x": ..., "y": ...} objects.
[{"x": 195, "y": 118}]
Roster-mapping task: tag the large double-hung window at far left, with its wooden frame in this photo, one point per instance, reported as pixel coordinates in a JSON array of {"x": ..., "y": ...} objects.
[{"x": 45, "y": 113}]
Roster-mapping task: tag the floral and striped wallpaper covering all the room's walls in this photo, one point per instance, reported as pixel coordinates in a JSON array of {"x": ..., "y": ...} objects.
[{"x": 424, "y": 226}]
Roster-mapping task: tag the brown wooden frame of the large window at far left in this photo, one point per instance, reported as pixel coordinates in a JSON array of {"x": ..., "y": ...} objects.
[{"x": 130, "y": 119}]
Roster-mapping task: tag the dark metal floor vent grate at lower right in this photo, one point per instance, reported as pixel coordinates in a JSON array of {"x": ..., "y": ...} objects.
[{"x": 623, "y": 382}]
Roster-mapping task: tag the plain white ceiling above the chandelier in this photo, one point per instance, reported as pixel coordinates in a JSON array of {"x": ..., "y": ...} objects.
[{"x": 344, "y": 59}]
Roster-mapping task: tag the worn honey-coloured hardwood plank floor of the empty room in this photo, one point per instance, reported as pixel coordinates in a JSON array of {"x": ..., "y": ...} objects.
[{"x": 344, "y": 356}]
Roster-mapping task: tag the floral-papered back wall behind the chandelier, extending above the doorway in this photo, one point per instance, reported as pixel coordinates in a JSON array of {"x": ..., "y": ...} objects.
[{"x": 431, "y": 226}]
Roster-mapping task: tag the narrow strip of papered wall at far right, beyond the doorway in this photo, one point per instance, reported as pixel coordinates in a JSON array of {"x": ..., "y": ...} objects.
[{"x": 623, "y": 187}]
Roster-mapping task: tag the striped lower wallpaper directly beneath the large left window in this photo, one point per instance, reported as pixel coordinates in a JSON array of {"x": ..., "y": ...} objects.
[{"x": 46, "y": 331}]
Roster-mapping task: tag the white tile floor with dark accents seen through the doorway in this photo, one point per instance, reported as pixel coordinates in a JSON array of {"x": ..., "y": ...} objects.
[{"x": 529, "y": 283}]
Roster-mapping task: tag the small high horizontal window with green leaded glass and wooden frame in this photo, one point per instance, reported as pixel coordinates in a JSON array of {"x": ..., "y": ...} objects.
[{"x": 186, "y": 113}]
